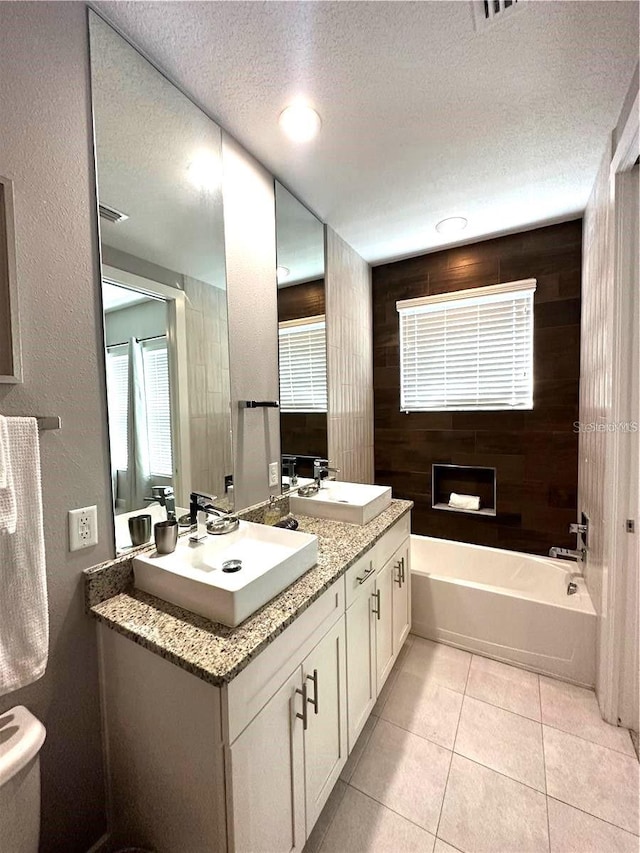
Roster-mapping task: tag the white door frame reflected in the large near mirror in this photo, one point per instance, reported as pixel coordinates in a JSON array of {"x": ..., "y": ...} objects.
[{"x": 178, "y": 370}]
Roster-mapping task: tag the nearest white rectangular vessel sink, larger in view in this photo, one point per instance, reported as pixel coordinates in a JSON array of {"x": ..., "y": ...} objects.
[{"x": 194, "y": 576}]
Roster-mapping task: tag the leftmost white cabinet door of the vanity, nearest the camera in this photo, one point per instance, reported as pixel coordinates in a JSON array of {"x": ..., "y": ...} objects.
[{"x": 267, "y": 777}]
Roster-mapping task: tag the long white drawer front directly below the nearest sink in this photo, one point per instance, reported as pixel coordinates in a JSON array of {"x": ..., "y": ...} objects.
[{"x": 251, "y": 689}]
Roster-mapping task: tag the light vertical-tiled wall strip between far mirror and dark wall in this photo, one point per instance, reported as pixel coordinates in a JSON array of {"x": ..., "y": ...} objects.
[{"x": 349, "y": 360}]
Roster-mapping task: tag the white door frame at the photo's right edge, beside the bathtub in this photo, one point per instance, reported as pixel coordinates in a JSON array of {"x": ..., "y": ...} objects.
[{"x": 621, "y": 591}]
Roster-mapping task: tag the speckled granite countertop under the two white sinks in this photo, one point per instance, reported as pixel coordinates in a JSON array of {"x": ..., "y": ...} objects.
[{"x": 207, "y": 649}]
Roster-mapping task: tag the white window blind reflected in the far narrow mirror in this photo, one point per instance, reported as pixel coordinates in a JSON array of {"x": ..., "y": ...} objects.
[{"x": 303, "y": 365}]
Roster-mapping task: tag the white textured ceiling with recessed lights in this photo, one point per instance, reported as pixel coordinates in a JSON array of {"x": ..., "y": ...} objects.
[{"x": 423, "y": 116}]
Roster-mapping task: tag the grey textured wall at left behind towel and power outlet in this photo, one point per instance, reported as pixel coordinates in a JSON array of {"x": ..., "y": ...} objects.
[{"x": 45, "y": 147}]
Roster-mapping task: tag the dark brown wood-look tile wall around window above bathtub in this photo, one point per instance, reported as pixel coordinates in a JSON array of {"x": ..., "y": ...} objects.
[{"x": 535, "y": 452}]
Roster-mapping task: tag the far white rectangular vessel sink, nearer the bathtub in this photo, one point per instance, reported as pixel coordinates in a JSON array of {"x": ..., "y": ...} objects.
[{"x": 354, "y": 503}]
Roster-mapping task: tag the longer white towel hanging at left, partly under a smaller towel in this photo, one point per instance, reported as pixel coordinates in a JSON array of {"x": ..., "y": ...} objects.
[{"x": 24, "y": 615}]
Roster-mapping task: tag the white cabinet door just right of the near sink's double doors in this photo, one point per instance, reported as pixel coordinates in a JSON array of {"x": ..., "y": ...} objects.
[{"x": 361, "y": 661}]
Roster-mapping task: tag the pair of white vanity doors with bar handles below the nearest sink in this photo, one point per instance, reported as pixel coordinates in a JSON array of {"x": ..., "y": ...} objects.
[{"x": 285, "y": 763}]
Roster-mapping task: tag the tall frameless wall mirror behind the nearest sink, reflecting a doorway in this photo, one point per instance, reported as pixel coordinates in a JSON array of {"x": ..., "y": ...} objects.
[{"x": 163, "y": 285}]
